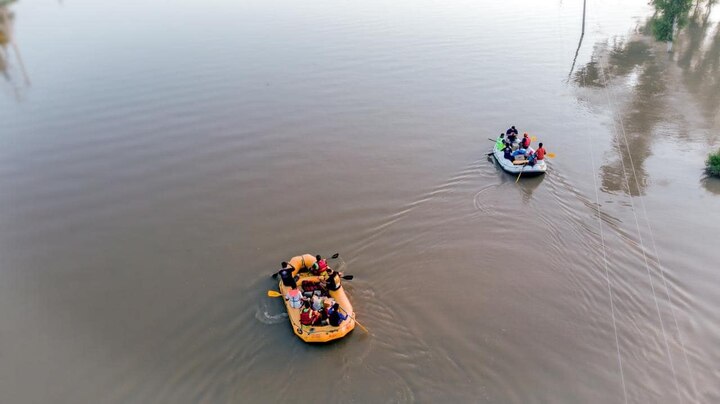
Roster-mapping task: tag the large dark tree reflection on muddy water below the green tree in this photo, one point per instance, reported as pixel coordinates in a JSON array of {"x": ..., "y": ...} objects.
[{"x": 640, "y": 81}]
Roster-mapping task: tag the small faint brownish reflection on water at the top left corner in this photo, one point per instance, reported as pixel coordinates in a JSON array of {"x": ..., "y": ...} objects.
[{"x": 8, "y": 57}]
